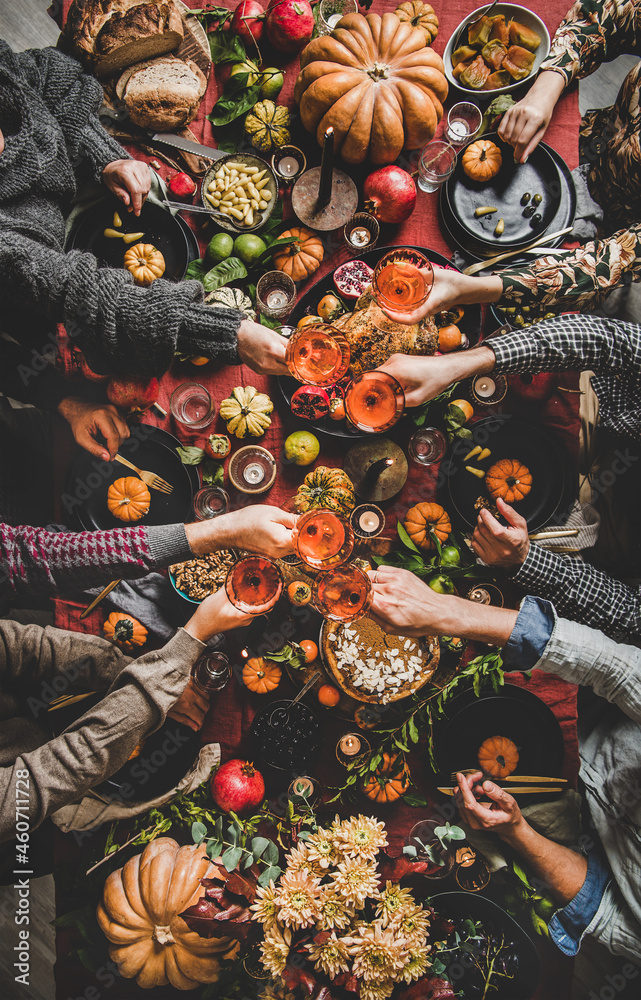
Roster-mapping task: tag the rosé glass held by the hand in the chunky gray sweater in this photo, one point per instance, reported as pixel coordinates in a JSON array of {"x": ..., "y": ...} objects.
[{"x": 318, "y": 355}]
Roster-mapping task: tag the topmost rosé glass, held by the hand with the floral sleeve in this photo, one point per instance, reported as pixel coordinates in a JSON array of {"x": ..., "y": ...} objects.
[{"x": 402, "y": 280}]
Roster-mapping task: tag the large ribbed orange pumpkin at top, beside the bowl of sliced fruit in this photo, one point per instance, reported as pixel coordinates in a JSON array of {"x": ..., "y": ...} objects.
[{"x": 376, "y": 83}]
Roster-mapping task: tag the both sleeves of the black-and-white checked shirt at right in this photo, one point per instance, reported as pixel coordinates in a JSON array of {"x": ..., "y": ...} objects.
[{"x": 612, "y": 349}]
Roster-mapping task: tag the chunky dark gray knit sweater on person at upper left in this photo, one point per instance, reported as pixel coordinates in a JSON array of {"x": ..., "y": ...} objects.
[{"x": 48, "y": 111}]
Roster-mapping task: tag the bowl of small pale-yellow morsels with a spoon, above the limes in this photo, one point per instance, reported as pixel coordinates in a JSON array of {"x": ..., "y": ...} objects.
[{"x": 241, "y": 190}]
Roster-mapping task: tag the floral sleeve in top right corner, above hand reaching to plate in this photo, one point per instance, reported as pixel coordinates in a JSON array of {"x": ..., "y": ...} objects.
[{"x": 593, "y": 32}]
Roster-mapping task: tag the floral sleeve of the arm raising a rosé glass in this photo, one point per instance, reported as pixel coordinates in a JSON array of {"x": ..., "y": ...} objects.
[{"x": 579, "y": 279}]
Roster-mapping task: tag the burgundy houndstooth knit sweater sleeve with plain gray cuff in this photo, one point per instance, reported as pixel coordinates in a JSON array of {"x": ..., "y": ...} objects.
[{"x": 34, "y": 561}]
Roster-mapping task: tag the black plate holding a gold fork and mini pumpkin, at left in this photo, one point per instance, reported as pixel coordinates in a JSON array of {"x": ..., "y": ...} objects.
[{"x": 149, "y": 448}]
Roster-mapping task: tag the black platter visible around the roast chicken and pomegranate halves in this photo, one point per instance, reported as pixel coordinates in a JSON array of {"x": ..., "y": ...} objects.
[{"x": 470, "y": 325}]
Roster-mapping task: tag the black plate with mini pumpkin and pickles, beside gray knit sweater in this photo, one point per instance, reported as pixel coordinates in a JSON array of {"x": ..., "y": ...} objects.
[{"x": 161, "y": 229}]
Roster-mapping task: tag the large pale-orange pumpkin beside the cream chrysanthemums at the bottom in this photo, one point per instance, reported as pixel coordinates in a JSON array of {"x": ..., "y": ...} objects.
[{"x": 139, "y": 916}]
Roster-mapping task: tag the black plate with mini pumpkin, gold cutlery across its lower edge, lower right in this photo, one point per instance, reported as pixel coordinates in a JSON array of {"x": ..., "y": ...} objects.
[{"x": 513, "y": 712}]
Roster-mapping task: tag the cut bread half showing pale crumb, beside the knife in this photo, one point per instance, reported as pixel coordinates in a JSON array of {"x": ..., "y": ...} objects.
[{"x": 162, "y": 94}]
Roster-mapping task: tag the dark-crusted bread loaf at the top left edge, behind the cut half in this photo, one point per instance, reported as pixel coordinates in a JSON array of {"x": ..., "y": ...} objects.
[{"x": 107, "y": 36}]
